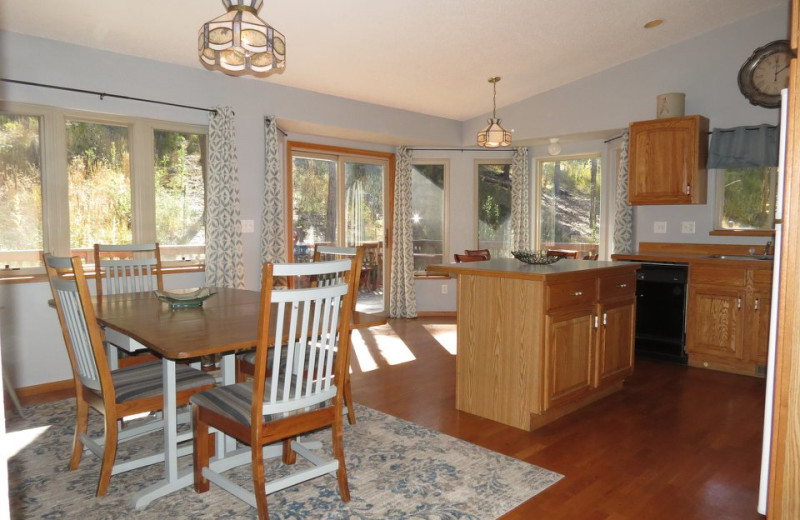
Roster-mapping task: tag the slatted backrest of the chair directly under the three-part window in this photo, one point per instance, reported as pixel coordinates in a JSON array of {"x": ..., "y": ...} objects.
[{"x": 131, "y": 268}]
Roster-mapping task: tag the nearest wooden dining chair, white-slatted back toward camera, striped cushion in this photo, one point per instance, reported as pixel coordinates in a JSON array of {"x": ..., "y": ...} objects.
[{"x": 291, "y": 400}]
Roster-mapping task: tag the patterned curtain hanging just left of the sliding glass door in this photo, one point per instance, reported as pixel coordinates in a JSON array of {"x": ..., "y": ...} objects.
[{"x": 273, "y": 230}]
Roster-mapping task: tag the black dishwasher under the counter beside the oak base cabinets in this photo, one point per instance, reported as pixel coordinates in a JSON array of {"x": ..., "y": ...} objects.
[{"x": 661, "y": 311}]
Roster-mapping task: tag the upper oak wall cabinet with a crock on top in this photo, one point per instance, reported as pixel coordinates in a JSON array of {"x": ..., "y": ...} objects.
[{"x": 668, "y": 161}]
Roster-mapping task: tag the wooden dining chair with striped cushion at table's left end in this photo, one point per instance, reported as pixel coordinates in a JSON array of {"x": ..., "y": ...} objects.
[{"x": 113, "y": 393}]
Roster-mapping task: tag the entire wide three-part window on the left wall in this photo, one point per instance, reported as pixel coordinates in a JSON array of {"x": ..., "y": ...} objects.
[{"x": 71, "y": 179}]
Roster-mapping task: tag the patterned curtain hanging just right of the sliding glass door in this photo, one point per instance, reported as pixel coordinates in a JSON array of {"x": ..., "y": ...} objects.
[{"x": 403, "y": 302}]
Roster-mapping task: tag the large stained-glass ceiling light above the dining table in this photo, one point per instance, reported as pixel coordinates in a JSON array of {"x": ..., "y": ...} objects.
[{"x": 239, "y": 41}]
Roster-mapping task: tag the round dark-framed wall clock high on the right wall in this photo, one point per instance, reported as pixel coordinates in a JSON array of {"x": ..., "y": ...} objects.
[{"x": 765, "y": 73}]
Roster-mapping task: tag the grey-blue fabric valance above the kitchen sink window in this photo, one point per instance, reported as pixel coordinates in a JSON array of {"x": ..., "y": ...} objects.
[{"x": 743, "y": 147}]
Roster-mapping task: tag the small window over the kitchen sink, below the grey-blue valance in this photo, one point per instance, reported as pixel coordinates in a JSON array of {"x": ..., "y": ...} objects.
[{"x": 746, "y": 198}]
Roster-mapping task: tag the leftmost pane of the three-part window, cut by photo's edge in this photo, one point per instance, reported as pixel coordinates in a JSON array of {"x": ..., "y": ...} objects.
[{"x": 20, "y": 190}]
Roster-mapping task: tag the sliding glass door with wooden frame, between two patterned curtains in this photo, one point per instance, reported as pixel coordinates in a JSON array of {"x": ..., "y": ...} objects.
[{"x": 341, "y": 199}]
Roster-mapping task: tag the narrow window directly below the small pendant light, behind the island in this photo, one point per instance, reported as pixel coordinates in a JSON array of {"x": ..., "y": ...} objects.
[{"x": 494, "y": 207}]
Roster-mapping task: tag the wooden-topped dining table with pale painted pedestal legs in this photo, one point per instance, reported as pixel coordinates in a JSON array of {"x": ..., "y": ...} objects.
[{"x": 227, "y": 322}]
